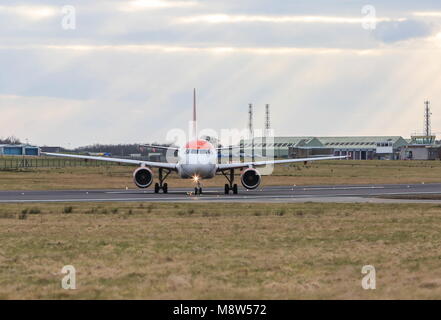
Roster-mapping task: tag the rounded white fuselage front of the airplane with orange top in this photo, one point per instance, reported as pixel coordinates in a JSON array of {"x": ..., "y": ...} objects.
[{"x": 198, "y": 159}]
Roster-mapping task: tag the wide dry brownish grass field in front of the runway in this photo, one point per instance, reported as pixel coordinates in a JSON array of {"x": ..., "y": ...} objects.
[{"x": 286, "y": 251}]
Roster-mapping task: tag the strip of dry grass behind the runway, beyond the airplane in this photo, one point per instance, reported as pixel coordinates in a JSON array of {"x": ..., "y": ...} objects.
[{"x": 320, "y": 172}]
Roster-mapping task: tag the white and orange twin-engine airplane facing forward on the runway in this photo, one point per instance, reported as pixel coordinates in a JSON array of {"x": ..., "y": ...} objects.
[{"x": 197, "y": 160}]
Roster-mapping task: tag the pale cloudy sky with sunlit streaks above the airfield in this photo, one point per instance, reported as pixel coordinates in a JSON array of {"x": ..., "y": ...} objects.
[{"x": 82, "y": 72}]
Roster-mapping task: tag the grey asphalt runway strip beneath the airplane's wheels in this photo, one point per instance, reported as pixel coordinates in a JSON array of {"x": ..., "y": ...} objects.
[{"x": 337, "y": 193}]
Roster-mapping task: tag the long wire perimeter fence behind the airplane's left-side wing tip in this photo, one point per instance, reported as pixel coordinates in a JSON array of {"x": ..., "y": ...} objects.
[{"x": 15, "y": 163}]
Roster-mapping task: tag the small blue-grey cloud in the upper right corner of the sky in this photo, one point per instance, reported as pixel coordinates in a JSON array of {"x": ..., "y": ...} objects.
[{"x": 396, "y": 31}]
